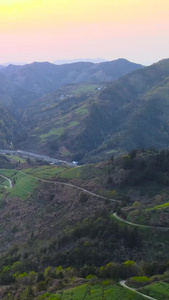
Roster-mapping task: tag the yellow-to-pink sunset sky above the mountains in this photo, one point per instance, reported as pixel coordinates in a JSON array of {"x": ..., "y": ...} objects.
[{"x": 49, "y": 30}]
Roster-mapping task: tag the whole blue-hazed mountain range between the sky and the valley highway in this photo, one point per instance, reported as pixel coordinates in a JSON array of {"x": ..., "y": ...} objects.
[{"x": 85, "y": 111}]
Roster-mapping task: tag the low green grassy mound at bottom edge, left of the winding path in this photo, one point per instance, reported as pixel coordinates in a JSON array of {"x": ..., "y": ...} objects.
[{"x": 94, "y": 292}]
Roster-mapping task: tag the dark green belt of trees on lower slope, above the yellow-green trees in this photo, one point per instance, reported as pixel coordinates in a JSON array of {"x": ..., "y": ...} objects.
[{"x": 94, "y": 241}]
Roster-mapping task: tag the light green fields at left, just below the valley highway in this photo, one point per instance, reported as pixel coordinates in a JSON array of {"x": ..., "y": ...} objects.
[{"x": 24, "y": 183}]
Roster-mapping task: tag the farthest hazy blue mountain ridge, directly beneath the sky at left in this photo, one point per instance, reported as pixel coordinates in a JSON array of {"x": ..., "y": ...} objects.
[{"x": 38, "y": 79}]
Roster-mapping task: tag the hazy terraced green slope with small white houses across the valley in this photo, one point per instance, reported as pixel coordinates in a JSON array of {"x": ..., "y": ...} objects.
[{"x": 54, "y": 121}]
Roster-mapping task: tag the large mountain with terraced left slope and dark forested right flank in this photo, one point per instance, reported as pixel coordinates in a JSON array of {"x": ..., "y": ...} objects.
[{"x": 89, "y": 122}]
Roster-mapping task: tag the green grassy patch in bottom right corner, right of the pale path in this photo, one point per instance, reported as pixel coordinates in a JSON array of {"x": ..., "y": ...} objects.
[{"x": 159, "y": 290}]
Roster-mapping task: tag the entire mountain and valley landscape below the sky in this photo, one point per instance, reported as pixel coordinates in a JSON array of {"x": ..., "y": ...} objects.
[{"x": 84, "y": 200}]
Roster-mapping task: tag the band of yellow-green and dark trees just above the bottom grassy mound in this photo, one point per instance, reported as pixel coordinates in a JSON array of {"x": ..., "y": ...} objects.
[{"x": 28, "y": 285}]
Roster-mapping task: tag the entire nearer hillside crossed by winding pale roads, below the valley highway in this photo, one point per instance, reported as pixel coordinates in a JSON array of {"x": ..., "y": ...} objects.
[{"x": 83, "y": 231}]
